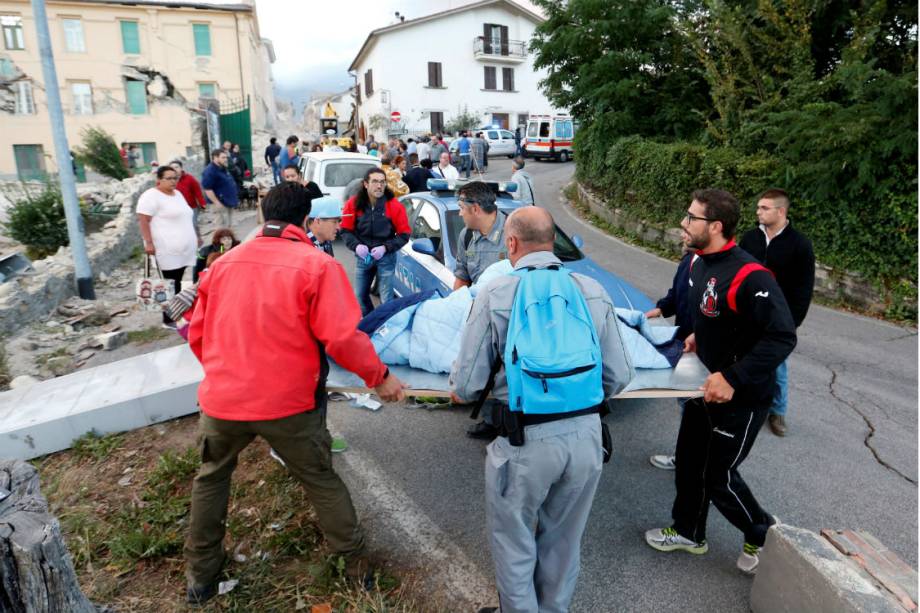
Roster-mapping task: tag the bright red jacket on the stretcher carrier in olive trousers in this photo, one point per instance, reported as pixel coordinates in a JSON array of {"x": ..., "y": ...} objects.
[{"x": 263, "y": 311}]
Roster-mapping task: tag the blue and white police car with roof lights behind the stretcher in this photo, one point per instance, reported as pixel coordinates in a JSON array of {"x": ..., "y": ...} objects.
[{"x": 427, "y": 261}]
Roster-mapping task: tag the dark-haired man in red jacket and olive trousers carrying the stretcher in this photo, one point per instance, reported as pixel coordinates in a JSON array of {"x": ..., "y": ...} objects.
[{"x": 268, "y": 313}]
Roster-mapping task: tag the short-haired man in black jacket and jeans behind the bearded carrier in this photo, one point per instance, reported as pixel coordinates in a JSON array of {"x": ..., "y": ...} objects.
[{"x": 790, "y": 257}]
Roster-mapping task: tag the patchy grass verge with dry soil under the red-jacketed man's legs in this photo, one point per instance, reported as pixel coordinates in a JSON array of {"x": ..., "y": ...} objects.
[{"x": 126, "y": 540}]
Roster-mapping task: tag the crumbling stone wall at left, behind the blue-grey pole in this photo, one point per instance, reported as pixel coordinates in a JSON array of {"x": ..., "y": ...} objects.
[{"x": 26, "y": 298}]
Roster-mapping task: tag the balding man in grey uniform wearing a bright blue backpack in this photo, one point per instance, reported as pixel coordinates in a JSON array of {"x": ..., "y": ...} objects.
[{"x": 545, "y": 343}]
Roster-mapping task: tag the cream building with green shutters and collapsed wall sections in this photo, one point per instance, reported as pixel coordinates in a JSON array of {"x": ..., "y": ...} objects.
[{"x": 141, "y": 70}]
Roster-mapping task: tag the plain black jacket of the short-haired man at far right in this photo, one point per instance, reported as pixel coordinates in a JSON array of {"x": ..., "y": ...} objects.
[{"x": 791, "y": 258}]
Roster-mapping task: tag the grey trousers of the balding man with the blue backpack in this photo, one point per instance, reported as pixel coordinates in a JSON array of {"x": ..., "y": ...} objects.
[{"x": 538, "y": 497}]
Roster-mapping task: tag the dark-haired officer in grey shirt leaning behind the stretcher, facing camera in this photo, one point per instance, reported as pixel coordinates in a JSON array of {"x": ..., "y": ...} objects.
[{"x": 482, "y": 243}]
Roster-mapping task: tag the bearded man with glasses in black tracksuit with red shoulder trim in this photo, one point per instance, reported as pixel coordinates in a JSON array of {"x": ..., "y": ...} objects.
[{"x": 742, "y": 330}]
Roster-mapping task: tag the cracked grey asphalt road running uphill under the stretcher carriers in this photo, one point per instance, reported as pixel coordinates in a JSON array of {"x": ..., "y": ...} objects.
[{"x": 849, "y": 461}]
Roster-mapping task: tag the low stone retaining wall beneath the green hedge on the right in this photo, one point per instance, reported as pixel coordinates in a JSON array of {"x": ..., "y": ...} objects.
[{"x": 830, "y": 284}]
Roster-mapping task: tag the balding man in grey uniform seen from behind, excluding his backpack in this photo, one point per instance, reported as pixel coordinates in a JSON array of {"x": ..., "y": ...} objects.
[{"x": 539, "y": 494}]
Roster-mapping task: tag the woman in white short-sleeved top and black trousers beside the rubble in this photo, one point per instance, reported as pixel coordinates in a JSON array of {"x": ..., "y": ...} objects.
[{"x": 167, "y": 229}]
